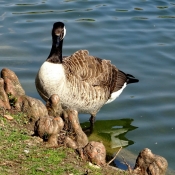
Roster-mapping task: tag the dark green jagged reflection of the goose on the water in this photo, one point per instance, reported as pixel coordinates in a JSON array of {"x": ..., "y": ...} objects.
[{"x": 111, "y": 133}]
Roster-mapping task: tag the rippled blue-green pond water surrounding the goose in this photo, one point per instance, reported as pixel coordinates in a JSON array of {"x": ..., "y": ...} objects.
[{"x": 138, "y": 36}]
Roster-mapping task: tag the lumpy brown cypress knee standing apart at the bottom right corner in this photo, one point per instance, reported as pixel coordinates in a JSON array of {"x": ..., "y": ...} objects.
[{"x": 148, "y": 163}]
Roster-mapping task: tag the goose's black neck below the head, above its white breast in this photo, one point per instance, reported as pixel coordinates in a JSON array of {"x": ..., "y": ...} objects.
[{"x": 55, "y": 55}]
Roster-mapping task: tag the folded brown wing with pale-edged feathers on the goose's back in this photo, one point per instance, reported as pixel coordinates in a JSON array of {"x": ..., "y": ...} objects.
[{"x": 94, "y": 71}]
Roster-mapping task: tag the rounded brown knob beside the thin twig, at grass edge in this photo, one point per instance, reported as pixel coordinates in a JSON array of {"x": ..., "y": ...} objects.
[{"x": 95, "y": 152}]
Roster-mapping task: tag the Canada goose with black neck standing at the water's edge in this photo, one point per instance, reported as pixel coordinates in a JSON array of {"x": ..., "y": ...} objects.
[{"x": 84, "y": 83}]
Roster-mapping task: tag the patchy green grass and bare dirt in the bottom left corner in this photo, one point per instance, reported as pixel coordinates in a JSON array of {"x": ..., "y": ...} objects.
[{"x": 23, "y": 154}]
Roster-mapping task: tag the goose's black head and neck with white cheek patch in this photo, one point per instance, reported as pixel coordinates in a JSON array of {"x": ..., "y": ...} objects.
[{"x": 58, "y": 34}]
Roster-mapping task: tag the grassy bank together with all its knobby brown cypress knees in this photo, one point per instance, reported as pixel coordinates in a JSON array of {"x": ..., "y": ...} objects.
[{"x": 45, "y": 139}]
